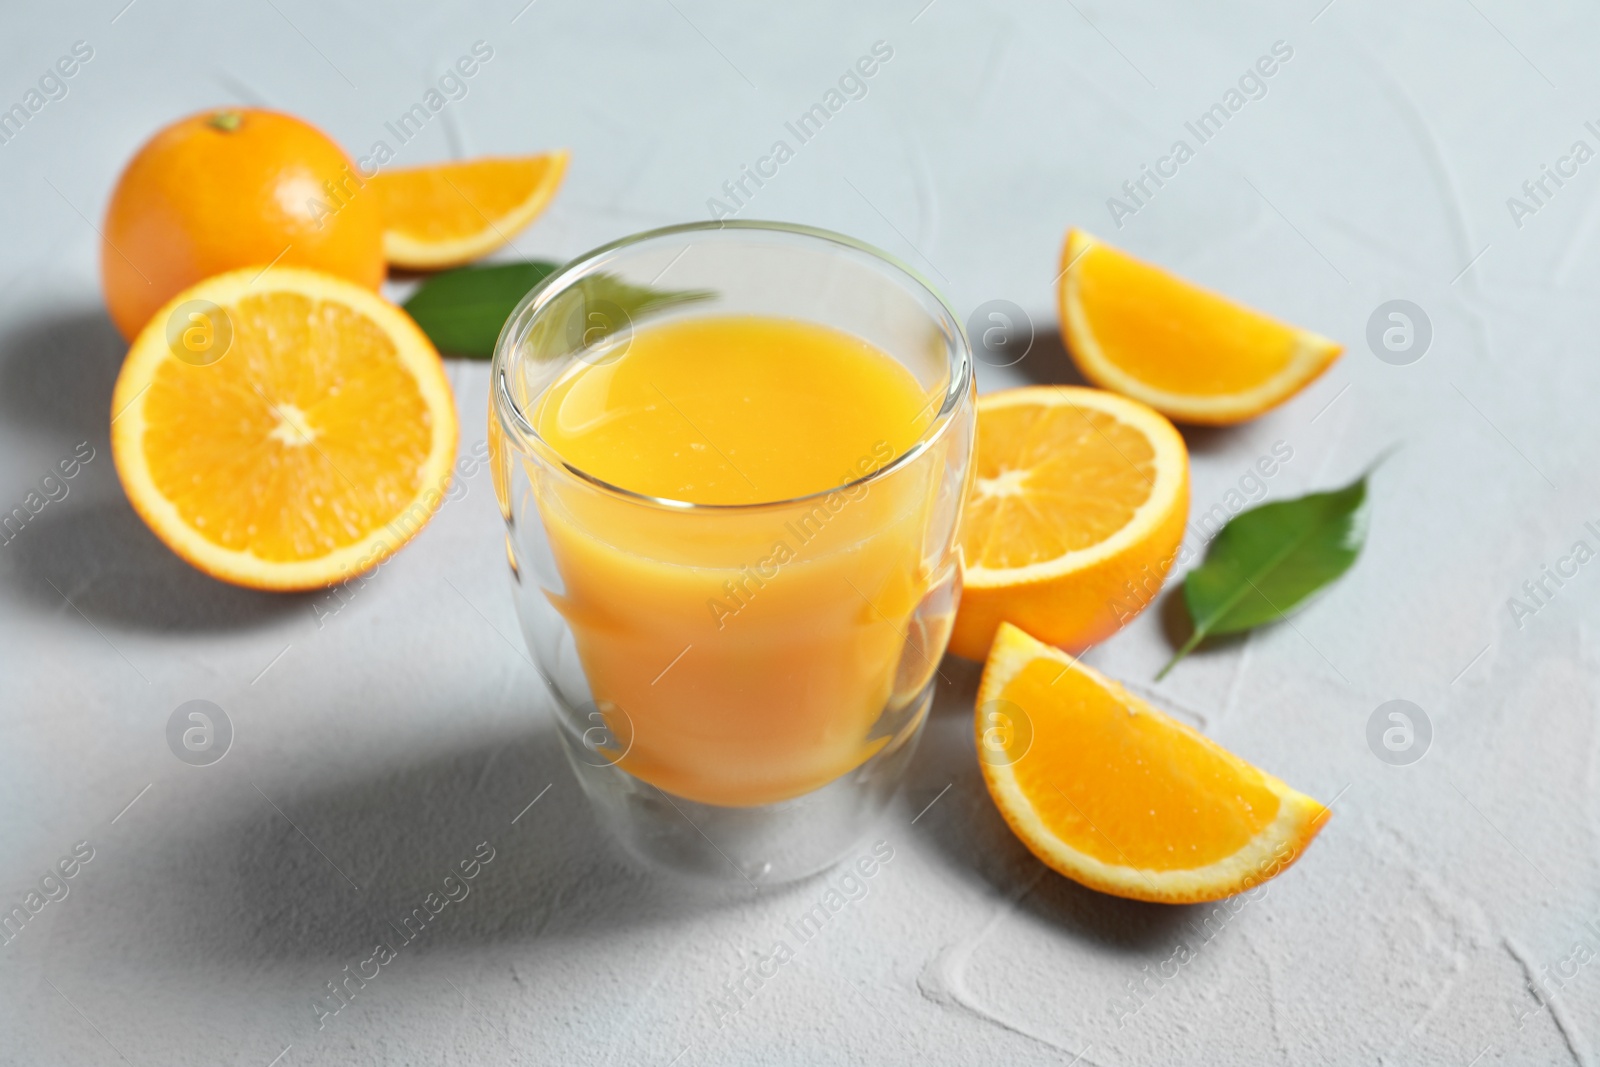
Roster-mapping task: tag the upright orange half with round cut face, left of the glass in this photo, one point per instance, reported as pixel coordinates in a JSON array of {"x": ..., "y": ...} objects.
[{"x": 282, "y": 430}]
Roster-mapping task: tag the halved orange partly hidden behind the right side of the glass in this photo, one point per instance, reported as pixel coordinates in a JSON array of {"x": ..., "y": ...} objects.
[{"x": 1074, "y": 518}]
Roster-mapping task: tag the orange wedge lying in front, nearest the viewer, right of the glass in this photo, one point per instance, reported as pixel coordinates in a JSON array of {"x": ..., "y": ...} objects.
[{"x": 1114, "y": 794}]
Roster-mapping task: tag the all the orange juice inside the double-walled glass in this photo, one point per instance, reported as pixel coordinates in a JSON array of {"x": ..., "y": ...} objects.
[{"x": 746, "y": 655}]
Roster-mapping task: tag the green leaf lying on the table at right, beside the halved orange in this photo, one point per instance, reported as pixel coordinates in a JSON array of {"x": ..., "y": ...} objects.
[{"x": 1268, "y": 561}]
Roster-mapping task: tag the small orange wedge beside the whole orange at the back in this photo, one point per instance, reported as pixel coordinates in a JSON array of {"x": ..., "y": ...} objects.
[{"x": 452, "y": 214}]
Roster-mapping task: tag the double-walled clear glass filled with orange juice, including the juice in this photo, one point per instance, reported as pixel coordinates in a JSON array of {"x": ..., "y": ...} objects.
[{"x": 732, "y": 460}]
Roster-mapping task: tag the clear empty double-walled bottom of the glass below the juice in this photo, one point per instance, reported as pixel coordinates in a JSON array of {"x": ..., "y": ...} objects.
[{"x": 762, "y": 847}]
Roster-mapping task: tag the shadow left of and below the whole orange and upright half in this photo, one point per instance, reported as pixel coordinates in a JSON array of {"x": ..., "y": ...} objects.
[{"x": 57, "y": 378}]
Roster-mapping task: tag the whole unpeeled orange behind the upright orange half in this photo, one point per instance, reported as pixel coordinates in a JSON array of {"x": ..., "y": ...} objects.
[{"x": 226, "y": 190}]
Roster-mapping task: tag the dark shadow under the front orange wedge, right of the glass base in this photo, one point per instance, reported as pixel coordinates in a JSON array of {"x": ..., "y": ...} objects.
[{"x": 977, "y": 842}]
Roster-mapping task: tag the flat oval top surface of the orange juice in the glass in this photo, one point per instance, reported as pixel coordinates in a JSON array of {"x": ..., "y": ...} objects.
[{"x": 734, "y": 410}]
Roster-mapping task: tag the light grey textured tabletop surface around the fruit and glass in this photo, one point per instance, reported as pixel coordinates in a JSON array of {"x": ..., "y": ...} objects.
[{"x": 378, "y": 749}]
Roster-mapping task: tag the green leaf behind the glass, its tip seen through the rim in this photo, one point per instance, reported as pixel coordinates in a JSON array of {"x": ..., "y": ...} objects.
[{"x": 463, "y": 311}]
